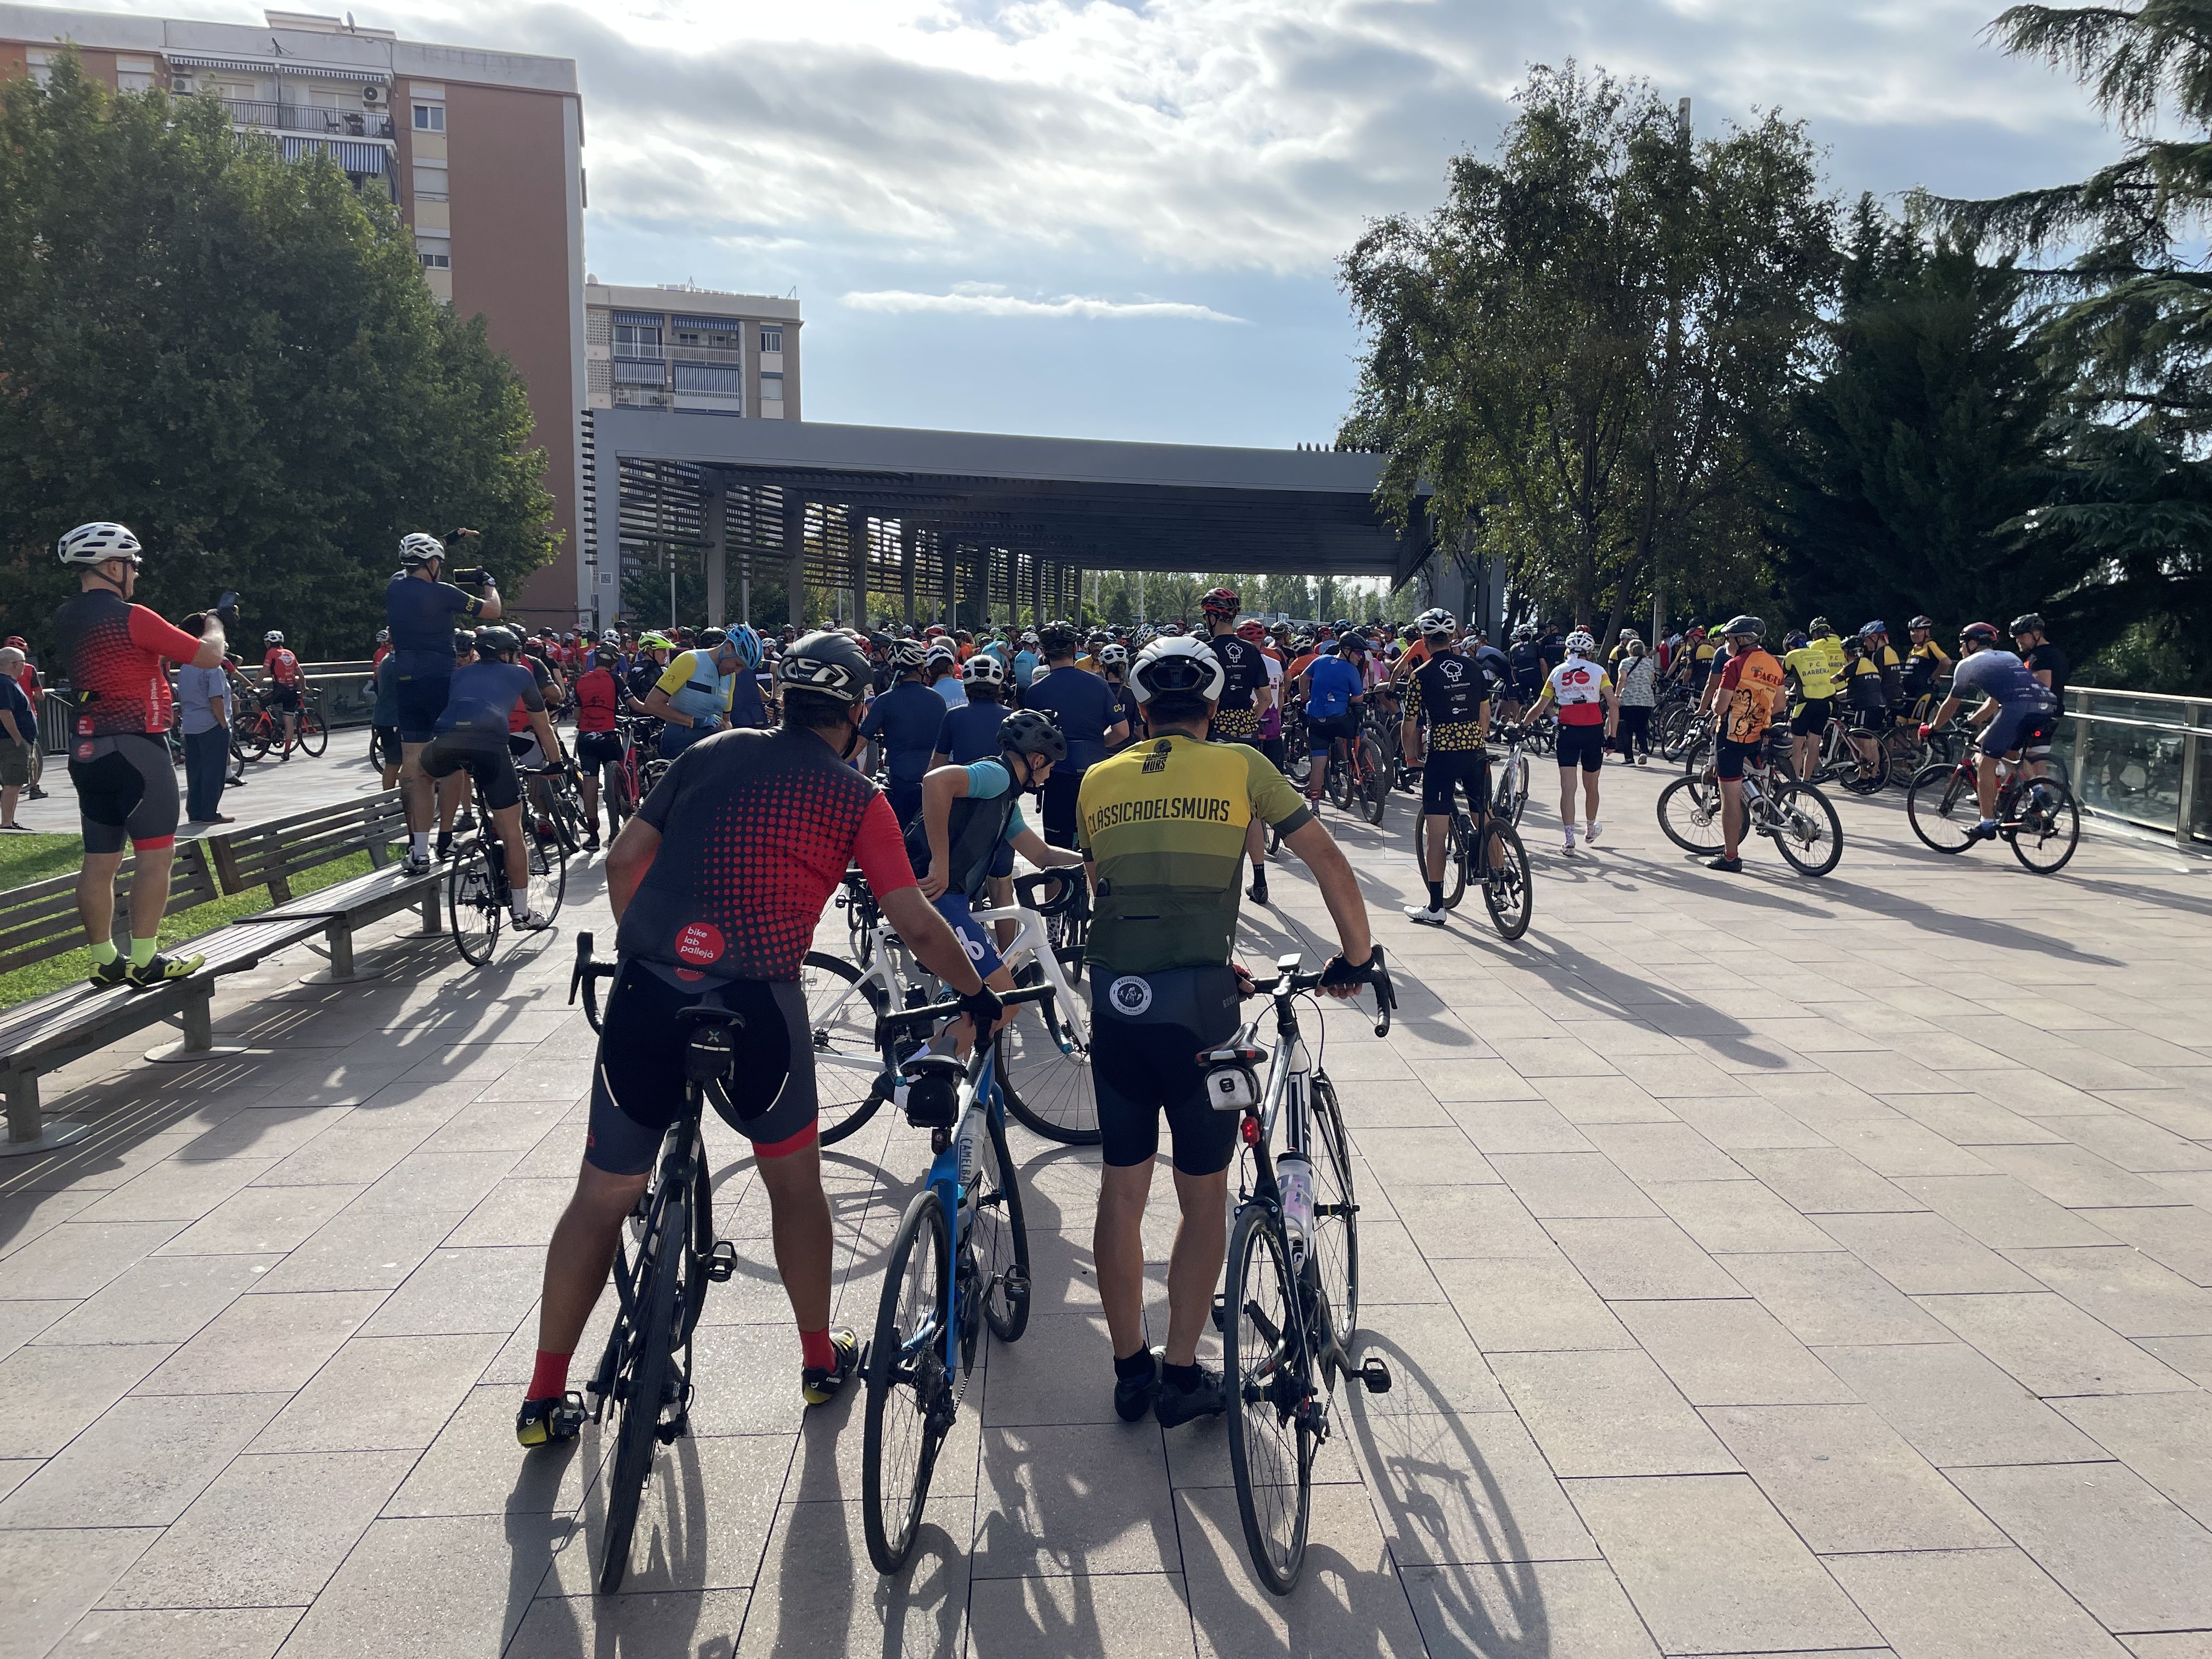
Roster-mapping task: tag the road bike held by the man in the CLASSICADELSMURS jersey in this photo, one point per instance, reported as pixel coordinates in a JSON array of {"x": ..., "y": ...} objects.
[{"x": 1291, "y": 1302}]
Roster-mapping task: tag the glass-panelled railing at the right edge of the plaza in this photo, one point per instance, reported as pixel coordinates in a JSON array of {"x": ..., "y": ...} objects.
[{"x": 2140, "y": 760}]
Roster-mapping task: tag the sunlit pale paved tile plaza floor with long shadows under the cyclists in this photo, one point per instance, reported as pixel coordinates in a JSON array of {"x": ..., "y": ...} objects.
[{"x": 1766, "y": 1266}]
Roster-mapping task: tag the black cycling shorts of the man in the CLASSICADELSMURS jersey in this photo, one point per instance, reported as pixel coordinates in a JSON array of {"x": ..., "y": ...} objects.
[{"x": 1147, "y": 1032}]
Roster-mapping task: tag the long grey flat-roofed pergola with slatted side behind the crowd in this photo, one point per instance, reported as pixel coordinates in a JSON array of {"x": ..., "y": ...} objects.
[{"x": 928, "y": 521}]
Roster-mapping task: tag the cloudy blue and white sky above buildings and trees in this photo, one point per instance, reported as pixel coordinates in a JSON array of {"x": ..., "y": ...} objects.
[{"x": 1123, "y": 220}]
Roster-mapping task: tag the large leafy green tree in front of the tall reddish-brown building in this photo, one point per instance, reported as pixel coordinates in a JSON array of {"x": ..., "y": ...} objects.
[{"x": 236, "y": 357}]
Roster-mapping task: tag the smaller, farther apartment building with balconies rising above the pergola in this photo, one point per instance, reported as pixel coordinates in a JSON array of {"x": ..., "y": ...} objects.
[{"x": 691, "y": 348}]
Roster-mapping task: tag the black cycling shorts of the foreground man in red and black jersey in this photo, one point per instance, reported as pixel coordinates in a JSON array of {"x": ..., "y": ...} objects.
[{"x": 638, "y": 1078}]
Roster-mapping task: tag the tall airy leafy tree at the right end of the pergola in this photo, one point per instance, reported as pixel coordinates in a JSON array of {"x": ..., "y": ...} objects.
[{"x": 1574, "y": 351}]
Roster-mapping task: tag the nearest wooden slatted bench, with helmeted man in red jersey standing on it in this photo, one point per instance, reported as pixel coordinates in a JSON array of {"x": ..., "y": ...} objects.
[{"x": 41, "y": 924}]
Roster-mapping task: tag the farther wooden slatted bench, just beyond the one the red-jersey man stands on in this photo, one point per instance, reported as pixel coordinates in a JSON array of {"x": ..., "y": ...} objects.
[{"x": 278, "y": 853}]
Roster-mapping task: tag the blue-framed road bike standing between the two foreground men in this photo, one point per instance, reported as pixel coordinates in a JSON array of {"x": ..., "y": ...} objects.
[{"x": 959, "y": 1262}]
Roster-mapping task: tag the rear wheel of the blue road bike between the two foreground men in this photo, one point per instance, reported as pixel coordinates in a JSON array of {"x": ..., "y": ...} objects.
[{"x": 910, "y": 1392}]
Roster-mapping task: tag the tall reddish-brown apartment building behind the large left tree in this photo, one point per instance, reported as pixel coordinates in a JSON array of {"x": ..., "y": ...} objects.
[{"x": 483, "y": 154}]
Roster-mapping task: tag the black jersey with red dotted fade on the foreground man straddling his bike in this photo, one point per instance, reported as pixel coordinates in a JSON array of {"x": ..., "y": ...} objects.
[{"x": 758, "y": 831}]
